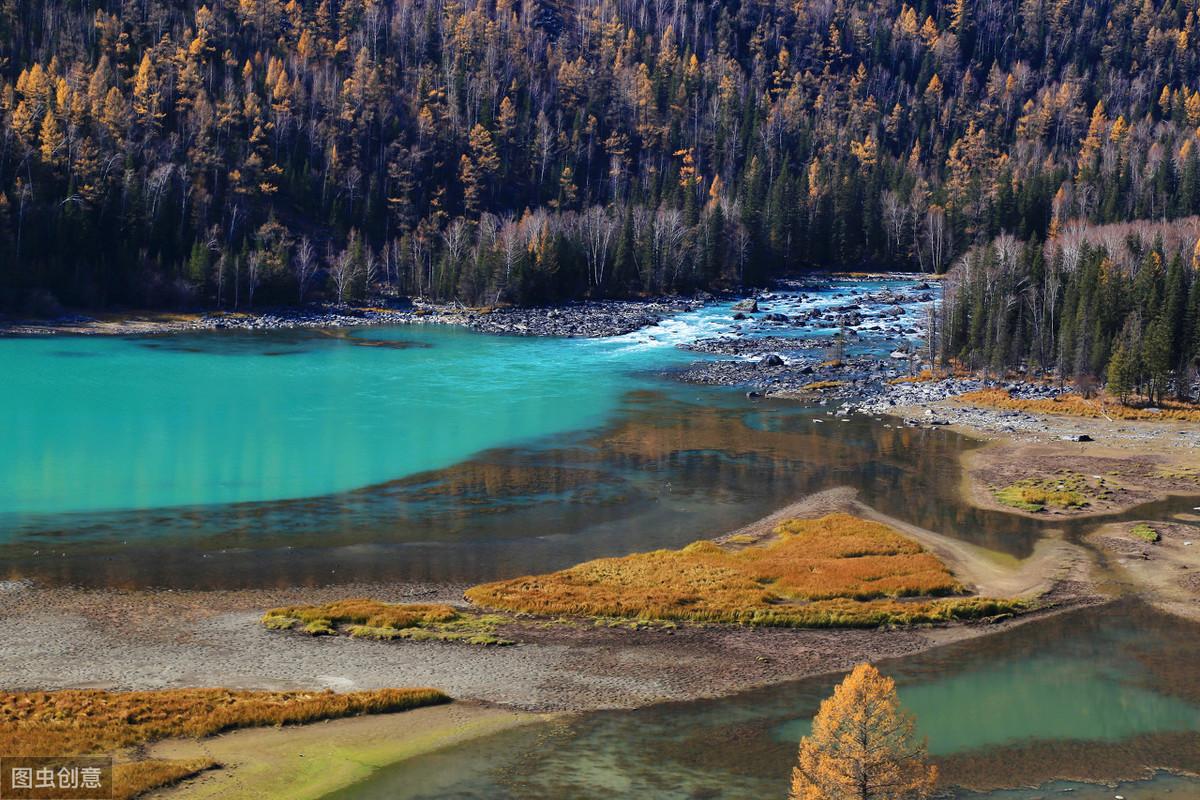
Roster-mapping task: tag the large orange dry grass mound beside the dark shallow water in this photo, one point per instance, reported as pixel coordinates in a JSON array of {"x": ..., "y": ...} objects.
[{"x": 835, "y": 572}]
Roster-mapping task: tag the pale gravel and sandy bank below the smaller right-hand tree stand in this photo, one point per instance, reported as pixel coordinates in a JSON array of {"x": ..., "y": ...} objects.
[{"x": 1148, "y": 462}]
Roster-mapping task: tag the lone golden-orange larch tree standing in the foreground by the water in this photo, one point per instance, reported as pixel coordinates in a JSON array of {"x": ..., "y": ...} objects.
[{"x": 863, "y": 747}]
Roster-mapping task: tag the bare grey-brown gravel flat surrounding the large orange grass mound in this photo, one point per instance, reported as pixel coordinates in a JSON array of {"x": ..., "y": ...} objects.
[{"x": 69, "y": 637}]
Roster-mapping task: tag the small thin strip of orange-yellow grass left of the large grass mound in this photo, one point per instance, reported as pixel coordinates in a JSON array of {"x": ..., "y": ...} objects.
[{"x": 373, "y": 619}]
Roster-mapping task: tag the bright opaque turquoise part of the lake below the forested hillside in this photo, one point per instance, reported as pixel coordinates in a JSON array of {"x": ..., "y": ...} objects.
[{"x": 105, "y": 424}]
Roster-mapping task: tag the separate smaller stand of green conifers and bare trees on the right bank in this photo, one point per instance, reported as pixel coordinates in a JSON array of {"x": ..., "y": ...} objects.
[{"x": 1117, "y": 305}]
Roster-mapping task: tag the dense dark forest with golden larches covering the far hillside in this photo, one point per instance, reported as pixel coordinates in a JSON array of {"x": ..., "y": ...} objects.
[{"x": 237, "y": 153}]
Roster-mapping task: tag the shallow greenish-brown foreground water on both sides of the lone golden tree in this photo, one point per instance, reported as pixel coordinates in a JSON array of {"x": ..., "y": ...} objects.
[{"x": 1094, "y": 694}]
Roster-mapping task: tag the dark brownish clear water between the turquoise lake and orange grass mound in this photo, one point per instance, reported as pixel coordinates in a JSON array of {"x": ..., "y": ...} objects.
[{"x": 677, "y": 465}]
